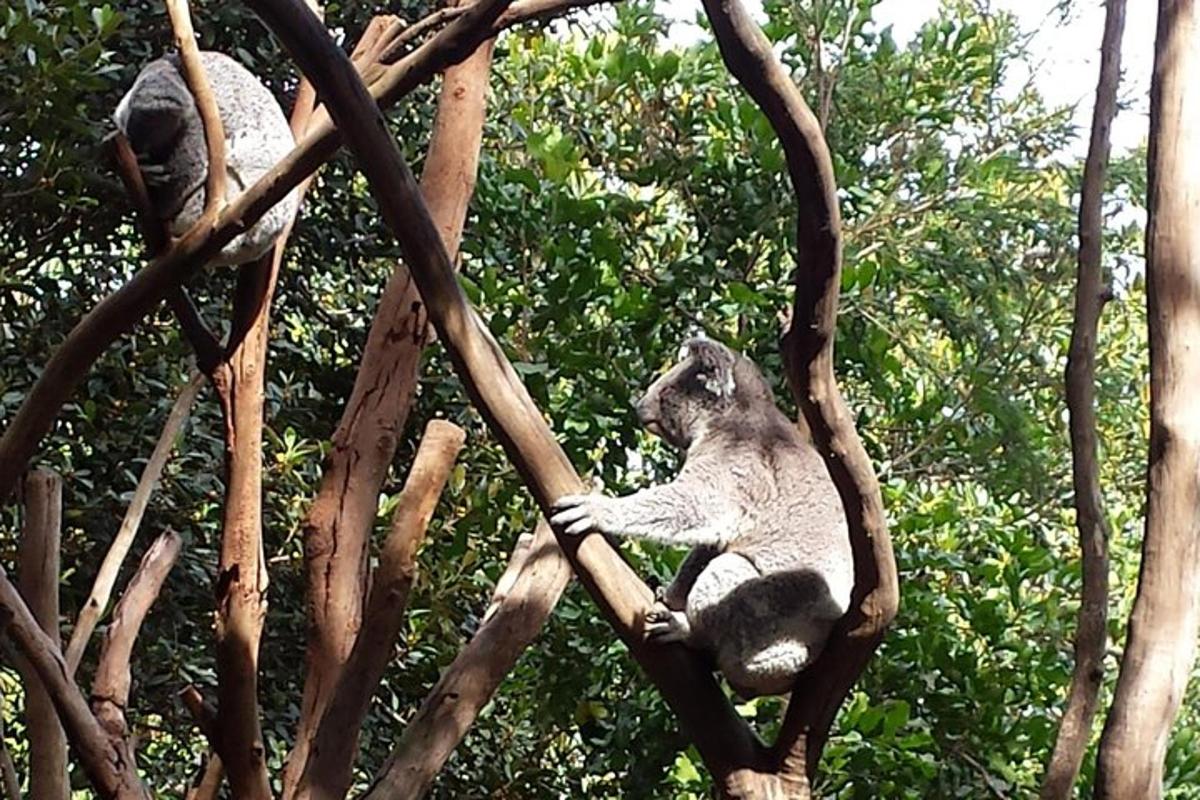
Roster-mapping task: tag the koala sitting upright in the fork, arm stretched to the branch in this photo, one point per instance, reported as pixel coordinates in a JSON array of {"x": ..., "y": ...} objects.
[{"x": 771, "y": 572}]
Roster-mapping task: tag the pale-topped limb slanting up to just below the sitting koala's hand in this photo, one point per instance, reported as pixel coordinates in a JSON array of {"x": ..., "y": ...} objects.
[{"x": 524, "y": 599}]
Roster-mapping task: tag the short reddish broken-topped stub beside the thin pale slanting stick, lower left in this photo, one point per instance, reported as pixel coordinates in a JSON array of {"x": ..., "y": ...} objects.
[{"x": 111, "y": 688}]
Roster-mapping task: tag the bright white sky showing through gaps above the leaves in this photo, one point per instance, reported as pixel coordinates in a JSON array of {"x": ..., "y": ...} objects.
[{"x": 1066, "y": 57}]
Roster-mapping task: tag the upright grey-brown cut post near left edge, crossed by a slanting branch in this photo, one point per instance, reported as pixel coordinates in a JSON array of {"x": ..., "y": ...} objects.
[{"x": 39, "y": 556}]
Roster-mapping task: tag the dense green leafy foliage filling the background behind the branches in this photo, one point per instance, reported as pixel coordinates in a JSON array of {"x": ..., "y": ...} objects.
[{"x": 628, "y": 194}]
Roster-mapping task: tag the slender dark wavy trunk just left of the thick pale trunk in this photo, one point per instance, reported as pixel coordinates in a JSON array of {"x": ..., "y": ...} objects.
[{"x": 1091, "y": 637}]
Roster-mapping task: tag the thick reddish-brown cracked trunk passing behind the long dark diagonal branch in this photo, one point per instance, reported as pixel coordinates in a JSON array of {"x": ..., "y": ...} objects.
[{"x": 339, "y": 525}]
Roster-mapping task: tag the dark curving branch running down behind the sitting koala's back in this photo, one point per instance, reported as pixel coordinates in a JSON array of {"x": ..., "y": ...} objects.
[{"x": 808, "y": 353}]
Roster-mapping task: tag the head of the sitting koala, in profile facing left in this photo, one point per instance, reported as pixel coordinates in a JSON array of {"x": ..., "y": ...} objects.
[{"x": 679, "y": 405}]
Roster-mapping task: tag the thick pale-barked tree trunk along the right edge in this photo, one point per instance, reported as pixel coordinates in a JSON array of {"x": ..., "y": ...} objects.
[{"x": 1162, "y": 634}]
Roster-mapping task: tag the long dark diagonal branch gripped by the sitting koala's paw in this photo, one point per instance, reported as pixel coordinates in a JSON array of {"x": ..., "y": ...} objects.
[{"x": 722, "y": 736}]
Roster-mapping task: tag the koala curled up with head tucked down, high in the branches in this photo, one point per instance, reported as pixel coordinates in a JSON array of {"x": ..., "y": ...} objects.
[{"x": 160, "y": 119}]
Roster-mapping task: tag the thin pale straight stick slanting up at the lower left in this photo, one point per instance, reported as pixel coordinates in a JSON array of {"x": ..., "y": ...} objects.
[{"x": 106, "y": 578}]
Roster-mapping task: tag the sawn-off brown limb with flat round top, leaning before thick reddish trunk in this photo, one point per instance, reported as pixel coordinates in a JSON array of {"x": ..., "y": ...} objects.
[{"x": 328, "y": 774}]
